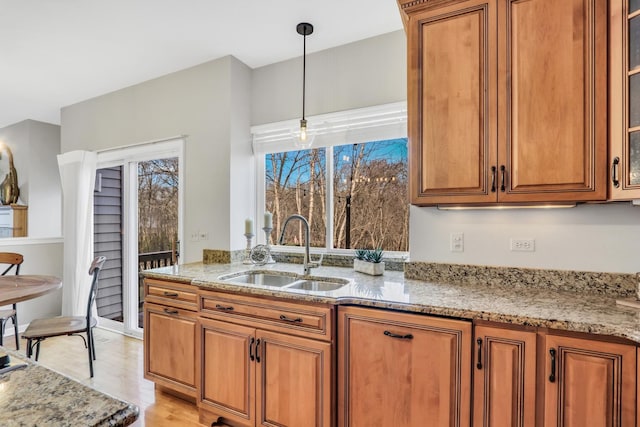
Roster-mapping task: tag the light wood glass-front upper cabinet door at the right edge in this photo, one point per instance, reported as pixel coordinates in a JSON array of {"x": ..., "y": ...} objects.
[{"x": 625, "y": 99}]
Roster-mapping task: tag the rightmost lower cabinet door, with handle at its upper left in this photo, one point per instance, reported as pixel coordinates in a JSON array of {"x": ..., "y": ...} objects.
[{"x": 589, "y": 383}]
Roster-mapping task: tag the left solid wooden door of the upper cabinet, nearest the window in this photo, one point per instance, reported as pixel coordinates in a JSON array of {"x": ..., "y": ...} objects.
[{"x": 452, "y": 110}]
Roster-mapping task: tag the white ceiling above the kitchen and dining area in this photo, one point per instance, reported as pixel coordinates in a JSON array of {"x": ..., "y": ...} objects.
[{"x": 55, "y": 53}]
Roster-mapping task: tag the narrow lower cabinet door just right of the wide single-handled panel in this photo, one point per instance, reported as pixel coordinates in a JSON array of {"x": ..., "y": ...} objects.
[{"x": 504, "y": 379}]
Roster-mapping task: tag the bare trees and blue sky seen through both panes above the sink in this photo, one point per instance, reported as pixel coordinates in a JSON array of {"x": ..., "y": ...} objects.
[{"x": 370, "y": 207}]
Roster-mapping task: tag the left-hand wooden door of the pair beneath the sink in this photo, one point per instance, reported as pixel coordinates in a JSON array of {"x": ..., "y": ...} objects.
[{"x": 228, "y": 374}]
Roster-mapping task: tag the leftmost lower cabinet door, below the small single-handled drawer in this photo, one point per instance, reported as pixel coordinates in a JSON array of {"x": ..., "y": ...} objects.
[{"x": 170, "y": 347}]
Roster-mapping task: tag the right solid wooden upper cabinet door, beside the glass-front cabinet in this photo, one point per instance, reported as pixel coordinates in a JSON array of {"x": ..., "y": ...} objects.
[{"x": 553, "y": 102}]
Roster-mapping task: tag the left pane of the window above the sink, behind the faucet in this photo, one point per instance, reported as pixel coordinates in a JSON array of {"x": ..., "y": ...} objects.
[{"x": 296, "y": 184}]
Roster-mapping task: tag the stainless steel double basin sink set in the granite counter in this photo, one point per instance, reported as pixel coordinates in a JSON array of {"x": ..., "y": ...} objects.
[{"x": 285, "y": 280}]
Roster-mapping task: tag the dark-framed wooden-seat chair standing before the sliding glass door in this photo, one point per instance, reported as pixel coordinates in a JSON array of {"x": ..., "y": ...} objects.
[{"x": 41, "y": 329}]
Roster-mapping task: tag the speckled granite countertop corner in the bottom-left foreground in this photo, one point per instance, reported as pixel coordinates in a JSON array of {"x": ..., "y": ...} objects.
[{"x": 37, "y": 396}]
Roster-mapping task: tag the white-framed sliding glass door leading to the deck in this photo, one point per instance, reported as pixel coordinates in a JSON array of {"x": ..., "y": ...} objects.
[{"x": 137, "y": 225}]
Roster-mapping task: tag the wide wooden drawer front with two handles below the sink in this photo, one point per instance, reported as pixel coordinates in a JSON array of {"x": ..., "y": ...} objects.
[{"x": 300, "y": 319}]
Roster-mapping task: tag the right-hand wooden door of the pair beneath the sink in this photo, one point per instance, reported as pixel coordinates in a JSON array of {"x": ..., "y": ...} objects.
[{"x": 294, "y": 381}]
